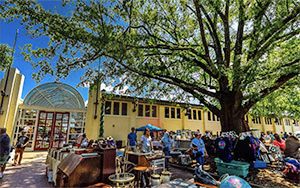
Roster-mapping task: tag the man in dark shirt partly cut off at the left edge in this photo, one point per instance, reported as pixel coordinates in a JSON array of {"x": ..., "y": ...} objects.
[{"x": 4, "y": 150}]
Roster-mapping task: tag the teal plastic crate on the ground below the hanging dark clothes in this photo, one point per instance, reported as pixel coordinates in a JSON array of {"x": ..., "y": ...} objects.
[{"x": 236, "y": 168}]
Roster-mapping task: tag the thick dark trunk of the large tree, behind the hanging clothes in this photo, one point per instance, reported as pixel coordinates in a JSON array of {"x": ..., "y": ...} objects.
[{"x": 232, "y": 115}]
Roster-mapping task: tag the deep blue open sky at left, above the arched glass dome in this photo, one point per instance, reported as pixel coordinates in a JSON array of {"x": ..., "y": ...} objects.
[{"x": 7, "y": 34}]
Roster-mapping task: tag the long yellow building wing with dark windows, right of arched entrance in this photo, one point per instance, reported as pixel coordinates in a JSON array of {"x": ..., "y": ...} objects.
[{"x": 123, "y": 112}]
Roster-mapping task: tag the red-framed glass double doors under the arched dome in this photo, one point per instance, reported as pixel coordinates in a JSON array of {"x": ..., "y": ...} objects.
[{"x": 52, "y": 128}]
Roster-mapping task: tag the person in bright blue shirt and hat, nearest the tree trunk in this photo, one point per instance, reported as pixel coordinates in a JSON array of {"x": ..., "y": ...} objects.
[{"x": 198, "y": 148}]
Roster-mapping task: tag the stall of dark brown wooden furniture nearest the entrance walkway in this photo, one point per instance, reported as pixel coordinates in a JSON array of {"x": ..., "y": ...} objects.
[{"x": 70, "y": 167}]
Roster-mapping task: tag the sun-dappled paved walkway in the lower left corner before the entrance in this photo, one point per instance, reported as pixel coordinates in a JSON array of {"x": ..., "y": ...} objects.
[{"x": 30, "y": 174}]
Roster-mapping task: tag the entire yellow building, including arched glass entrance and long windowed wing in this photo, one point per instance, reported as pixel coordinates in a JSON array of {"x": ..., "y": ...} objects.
[{"x": 54, "y": 113}]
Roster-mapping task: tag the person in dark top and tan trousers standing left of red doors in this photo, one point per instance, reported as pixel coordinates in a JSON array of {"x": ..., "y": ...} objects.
[{"x": 20, "y": 147}]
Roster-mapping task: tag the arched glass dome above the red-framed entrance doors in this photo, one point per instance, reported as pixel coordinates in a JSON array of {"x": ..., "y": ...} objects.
[{"x": 55, "y": 95}]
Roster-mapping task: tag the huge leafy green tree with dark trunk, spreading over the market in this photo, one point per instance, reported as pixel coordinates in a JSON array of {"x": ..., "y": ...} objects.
[{"x": 228, "y": 54}]
